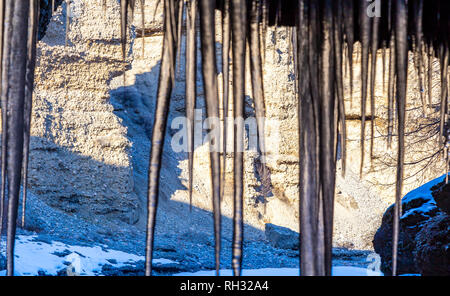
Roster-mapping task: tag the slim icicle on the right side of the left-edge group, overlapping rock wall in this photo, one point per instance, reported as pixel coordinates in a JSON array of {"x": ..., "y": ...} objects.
[{"x": 31, "y": 62}]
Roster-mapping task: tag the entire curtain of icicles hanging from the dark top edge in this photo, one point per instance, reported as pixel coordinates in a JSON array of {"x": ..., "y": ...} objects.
[{"x": 323, "y": 33}]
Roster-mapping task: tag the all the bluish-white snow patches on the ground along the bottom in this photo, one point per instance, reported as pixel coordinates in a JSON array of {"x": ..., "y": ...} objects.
[{"x": 34, "y": 256}]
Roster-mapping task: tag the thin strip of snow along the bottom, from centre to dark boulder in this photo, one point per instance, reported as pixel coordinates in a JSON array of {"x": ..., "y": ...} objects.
[{"x": 336, "y": 271}]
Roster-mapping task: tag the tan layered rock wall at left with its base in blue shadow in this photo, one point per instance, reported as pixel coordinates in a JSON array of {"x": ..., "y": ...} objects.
[{"x": 79, "y": 160}]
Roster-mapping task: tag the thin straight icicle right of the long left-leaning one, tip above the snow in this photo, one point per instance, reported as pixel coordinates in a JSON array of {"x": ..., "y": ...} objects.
[{"x": 191, "y": 86}]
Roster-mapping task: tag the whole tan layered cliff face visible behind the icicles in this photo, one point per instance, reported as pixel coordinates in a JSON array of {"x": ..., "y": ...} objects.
[{"x": 91, "y": 129}]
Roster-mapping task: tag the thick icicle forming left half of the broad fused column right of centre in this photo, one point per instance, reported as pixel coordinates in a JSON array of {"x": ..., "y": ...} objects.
[{"x": 310, "y": 254}]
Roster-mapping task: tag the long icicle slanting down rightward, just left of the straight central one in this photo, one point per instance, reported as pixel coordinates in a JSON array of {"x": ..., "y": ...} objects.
[{"x": 207, "y": 29}]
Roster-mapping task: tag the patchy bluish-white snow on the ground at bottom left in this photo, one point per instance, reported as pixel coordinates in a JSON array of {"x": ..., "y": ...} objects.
[{"x": 36, "y": 257}]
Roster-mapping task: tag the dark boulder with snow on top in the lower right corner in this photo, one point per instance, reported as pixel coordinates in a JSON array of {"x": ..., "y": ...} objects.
[{"x": 419, "y": 241}]
